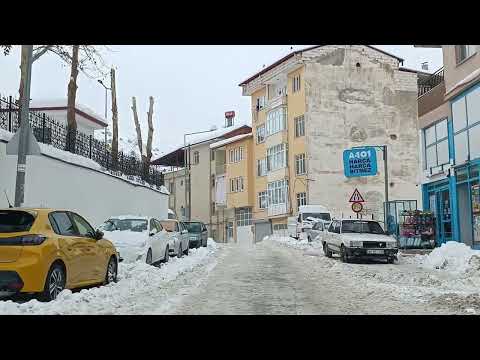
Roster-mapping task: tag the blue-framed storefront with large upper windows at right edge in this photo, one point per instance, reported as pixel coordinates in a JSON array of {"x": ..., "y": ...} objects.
[{"x": 452, "y": 147}]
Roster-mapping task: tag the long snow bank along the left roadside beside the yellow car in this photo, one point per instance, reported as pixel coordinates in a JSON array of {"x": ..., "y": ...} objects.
[{"x": 141, "y": 289}]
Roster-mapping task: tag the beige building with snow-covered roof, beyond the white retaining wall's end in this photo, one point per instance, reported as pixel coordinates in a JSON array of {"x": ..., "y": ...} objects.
[{"x": 191, "y": 189}]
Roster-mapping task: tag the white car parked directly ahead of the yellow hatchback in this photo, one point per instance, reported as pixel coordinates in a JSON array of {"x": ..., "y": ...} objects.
[{"x": 137, "y": 238}]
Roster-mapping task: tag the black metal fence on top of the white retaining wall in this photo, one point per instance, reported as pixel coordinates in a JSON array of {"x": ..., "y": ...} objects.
[{"x": 48, "y": 131}]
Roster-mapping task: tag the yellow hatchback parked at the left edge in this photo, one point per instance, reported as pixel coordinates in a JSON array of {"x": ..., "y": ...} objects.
[{"x": 44, "y": 251}]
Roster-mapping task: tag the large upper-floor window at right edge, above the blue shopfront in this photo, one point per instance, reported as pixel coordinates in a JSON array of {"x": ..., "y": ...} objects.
[{"x": 466, "y": 126}]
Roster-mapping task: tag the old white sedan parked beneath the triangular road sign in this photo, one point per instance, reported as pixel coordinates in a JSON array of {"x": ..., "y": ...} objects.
[{"x": 359, "y": 239}]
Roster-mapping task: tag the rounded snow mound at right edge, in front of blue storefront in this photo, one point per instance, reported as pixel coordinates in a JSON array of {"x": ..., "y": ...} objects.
[{"x": 453, "y": 257}]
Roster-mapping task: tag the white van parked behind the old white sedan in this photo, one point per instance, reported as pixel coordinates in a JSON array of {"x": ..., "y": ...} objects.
[{"x": 307, "y": 216}]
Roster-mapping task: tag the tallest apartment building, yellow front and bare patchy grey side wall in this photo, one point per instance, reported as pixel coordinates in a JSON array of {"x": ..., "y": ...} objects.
[{"x": 311, "y": 105}]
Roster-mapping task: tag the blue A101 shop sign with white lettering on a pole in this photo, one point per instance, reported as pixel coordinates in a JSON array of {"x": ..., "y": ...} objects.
[{"x": 360, "y": 162}]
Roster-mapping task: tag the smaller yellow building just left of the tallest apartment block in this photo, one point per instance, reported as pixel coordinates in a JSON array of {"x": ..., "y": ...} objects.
[{"x": 232, "y": 199}]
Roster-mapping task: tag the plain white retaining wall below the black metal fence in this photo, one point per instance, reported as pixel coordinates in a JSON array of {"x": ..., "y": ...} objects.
[{"x": 96, "y": 196}]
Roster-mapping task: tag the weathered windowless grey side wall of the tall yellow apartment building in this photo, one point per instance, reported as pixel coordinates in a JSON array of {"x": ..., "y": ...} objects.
[{"x": 348, "y": 105}]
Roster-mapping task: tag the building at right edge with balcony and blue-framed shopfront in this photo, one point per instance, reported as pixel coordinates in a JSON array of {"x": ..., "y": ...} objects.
[{"x": 449, "y": 122}]
